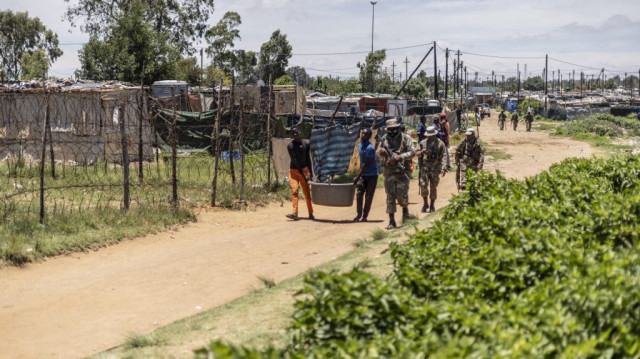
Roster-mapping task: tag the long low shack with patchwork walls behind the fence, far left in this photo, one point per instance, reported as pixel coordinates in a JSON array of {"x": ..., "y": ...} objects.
[{"x": 84, "y": 122}]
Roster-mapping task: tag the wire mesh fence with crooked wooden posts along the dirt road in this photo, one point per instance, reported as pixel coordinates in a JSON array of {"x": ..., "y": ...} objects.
[{"x": 66, "y": 153}]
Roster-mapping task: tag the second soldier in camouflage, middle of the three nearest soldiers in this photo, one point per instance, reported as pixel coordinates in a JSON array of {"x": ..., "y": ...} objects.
[{"x": 433, "y": 162}]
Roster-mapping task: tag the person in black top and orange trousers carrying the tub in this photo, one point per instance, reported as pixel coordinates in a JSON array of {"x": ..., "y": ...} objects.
[{"x": 299, "y": 173}]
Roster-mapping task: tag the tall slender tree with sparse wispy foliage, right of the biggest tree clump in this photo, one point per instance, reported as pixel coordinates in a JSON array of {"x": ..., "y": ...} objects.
[{"x": 221, "y": 38}]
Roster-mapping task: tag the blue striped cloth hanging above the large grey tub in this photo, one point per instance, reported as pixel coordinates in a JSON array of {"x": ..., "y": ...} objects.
[{"x": 332, "y": 148}]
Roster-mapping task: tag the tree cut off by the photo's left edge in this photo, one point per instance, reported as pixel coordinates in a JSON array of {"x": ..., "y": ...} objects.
[{"x": 20, "y": 35}]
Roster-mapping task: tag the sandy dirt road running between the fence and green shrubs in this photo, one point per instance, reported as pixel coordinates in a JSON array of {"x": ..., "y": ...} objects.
[{"x": 82, "y": 304}]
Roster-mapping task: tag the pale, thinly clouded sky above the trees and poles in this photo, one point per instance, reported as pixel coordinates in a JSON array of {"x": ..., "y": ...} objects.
[{"x": 329, "y": 37}]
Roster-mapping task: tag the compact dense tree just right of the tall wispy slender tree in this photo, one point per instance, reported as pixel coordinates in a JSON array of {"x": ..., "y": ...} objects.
[{"x": 274, "y": 56}]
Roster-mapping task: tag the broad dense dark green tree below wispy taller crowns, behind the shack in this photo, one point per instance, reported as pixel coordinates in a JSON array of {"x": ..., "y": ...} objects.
[{"x": 129, "y": 46}]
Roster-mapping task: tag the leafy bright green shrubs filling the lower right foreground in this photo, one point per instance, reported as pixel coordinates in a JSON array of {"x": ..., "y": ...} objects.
[{"x": 546, "y": 267}]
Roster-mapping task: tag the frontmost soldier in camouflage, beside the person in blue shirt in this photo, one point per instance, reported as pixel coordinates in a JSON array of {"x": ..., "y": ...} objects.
[{"x": 397, "y": 151}]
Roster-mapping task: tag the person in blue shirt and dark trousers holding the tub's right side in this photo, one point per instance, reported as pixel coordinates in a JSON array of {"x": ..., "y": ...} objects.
[{"x": 367, "y": 177}]
